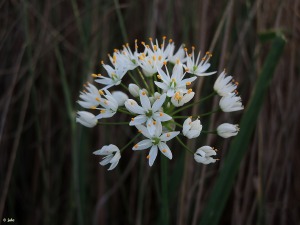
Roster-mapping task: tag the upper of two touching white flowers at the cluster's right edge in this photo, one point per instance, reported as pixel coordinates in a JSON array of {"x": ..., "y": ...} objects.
[{"x": 224, "y": 85}]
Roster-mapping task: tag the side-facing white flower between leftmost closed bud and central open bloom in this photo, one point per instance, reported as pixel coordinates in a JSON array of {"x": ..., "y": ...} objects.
[{"x": 109, "y": 106}]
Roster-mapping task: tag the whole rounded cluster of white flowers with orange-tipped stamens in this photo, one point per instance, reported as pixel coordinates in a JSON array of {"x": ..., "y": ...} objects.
[{"x": 160, "y": 89}]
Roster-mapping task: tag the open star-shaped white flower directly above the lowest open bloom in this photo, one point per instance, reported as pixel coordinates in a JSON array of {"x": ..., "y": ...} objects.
[{"x": 148, "y": 113}]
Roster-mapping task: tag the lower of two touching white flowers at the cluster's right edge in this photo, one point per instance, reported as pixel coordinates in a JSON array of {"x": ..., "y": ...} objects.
[{"x": 231, "y": 103}]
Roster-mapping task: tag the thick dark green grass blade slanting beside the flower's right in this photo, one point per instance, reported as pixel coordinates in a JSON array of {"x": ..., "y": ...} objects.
[{"x": 224, "y": 183}]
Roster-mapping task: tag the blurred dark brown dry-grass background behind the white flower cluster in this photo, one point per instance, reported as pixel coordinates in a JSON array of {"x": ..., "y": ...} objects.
[{"x": 48, "y": 49}]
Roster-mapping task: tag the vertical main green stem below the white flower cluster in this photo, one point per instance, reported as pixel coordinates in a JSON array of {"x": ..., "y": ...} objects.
[{"x": 164, "y": 190}]
